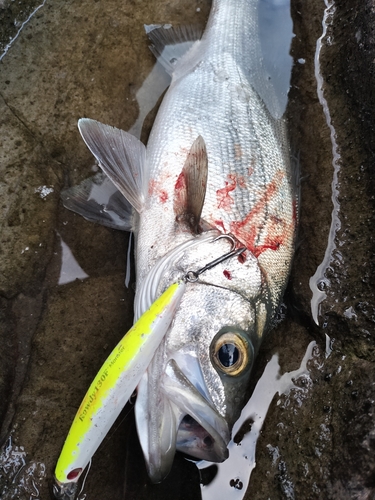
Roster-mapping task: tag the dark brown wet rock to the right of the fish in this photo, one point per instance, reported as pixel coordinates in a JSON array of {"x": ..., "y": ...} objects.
[{"x": 325, "y": 442}]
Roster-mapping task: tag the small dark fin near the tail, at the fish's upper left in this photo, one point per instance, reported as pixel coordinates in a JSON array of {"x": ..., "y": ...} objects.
[{"x": 170, "y": 43}]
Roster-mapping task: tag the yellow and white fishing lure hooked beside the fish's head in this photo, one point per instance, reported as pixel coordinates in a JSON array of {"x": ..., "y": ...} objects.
[{"x": 114, "y": 384}]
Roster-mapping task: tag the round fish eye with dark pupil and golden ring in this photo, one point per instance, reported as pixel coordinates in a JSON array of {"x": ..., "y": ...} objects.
[{"x": 230, "y": 353}]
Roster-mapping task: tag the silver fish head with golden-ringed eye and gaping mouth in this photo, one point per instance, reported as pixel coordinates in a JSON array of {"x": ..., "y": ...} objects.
[{"x": 196, "y": 385}]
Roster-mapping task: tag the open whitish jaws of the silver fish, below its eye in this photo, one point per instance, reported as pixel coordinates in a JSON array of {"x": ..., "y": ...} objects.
[{"x": 183, "y": 419}]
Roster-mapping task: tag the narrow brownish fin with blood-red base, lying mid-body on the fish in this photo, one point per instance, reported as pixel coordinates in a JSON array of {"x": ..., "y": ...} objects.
[{"x": 190, "y": 188}]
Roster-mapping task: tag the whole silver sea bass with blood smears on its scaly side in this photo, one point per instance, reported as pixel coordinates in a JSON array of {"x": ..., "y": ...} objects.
[{"x": 215, "y": 176}]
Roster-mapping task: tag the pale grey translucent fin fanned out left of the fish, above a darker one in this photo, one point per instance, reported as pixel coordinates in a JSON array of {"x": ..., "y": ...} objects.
[{"x": 121, "y": 156}]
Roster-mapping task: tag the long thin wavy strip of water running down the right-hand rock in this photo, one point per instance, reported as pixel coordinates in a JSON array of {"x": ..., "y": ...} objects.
[{"x": 319, "y": 282}]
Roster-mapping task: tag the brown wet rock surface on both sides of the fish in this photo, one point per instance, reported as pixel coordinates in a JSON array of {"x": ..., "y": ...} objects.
[{"x": 75, "y": 60}]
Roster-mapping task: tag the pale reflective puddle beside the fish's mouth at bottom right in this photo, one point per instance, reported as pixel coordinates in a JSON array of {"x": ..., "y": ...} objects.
[{"x": 233, "y": 475}]
